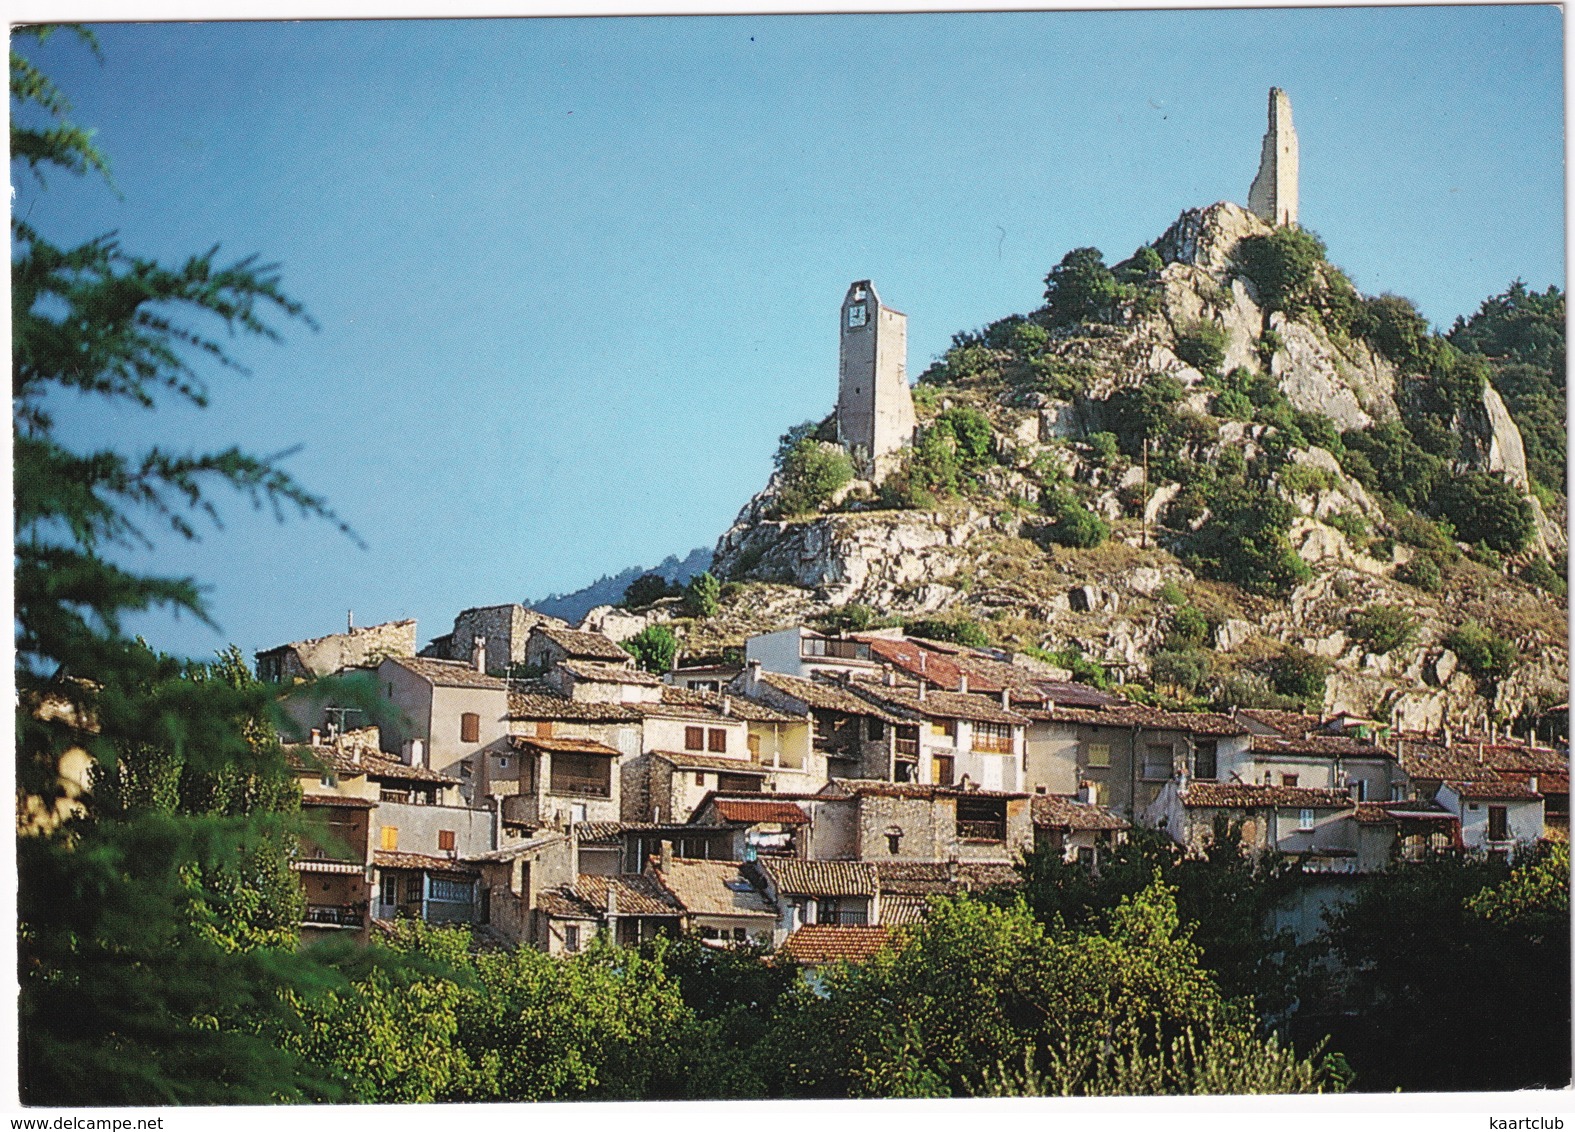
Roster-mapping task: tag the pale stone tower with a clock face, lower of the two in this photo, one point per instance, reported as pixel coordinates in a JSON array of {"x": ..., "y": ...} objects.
[{"x": 875, "y": 409}]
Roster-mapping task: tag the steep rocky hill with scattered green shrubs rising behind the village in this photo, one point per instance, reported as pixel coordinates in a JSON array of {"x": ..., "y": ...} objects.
[{"x": 1217, "y": 475}]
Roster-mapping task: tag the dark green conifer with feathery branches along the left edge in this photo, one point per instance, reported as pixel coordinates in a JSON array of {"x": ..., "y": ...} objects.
[{"x": 157, "y": 927}]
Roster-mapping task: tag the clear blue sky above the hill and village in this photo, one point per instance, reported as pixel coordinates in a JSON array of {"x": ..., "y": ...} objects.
[{"x": 576, "y": 276}]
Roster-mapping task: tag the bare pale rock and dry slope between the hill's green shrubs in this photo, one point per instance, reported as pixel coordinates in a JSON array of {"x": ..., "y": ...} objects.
[{"x": 990, "y": 558}]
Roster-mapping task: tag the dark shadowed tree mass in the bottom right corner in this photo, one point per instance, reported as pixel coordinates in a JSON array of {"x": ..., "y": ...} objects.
[{"x": 1451, "y": 922}]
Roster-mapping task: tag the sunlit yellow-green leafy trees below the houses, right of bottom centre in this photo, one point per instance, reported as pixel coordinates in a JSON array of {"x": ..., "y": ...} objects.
[{"x": 976, "y": 990}]
